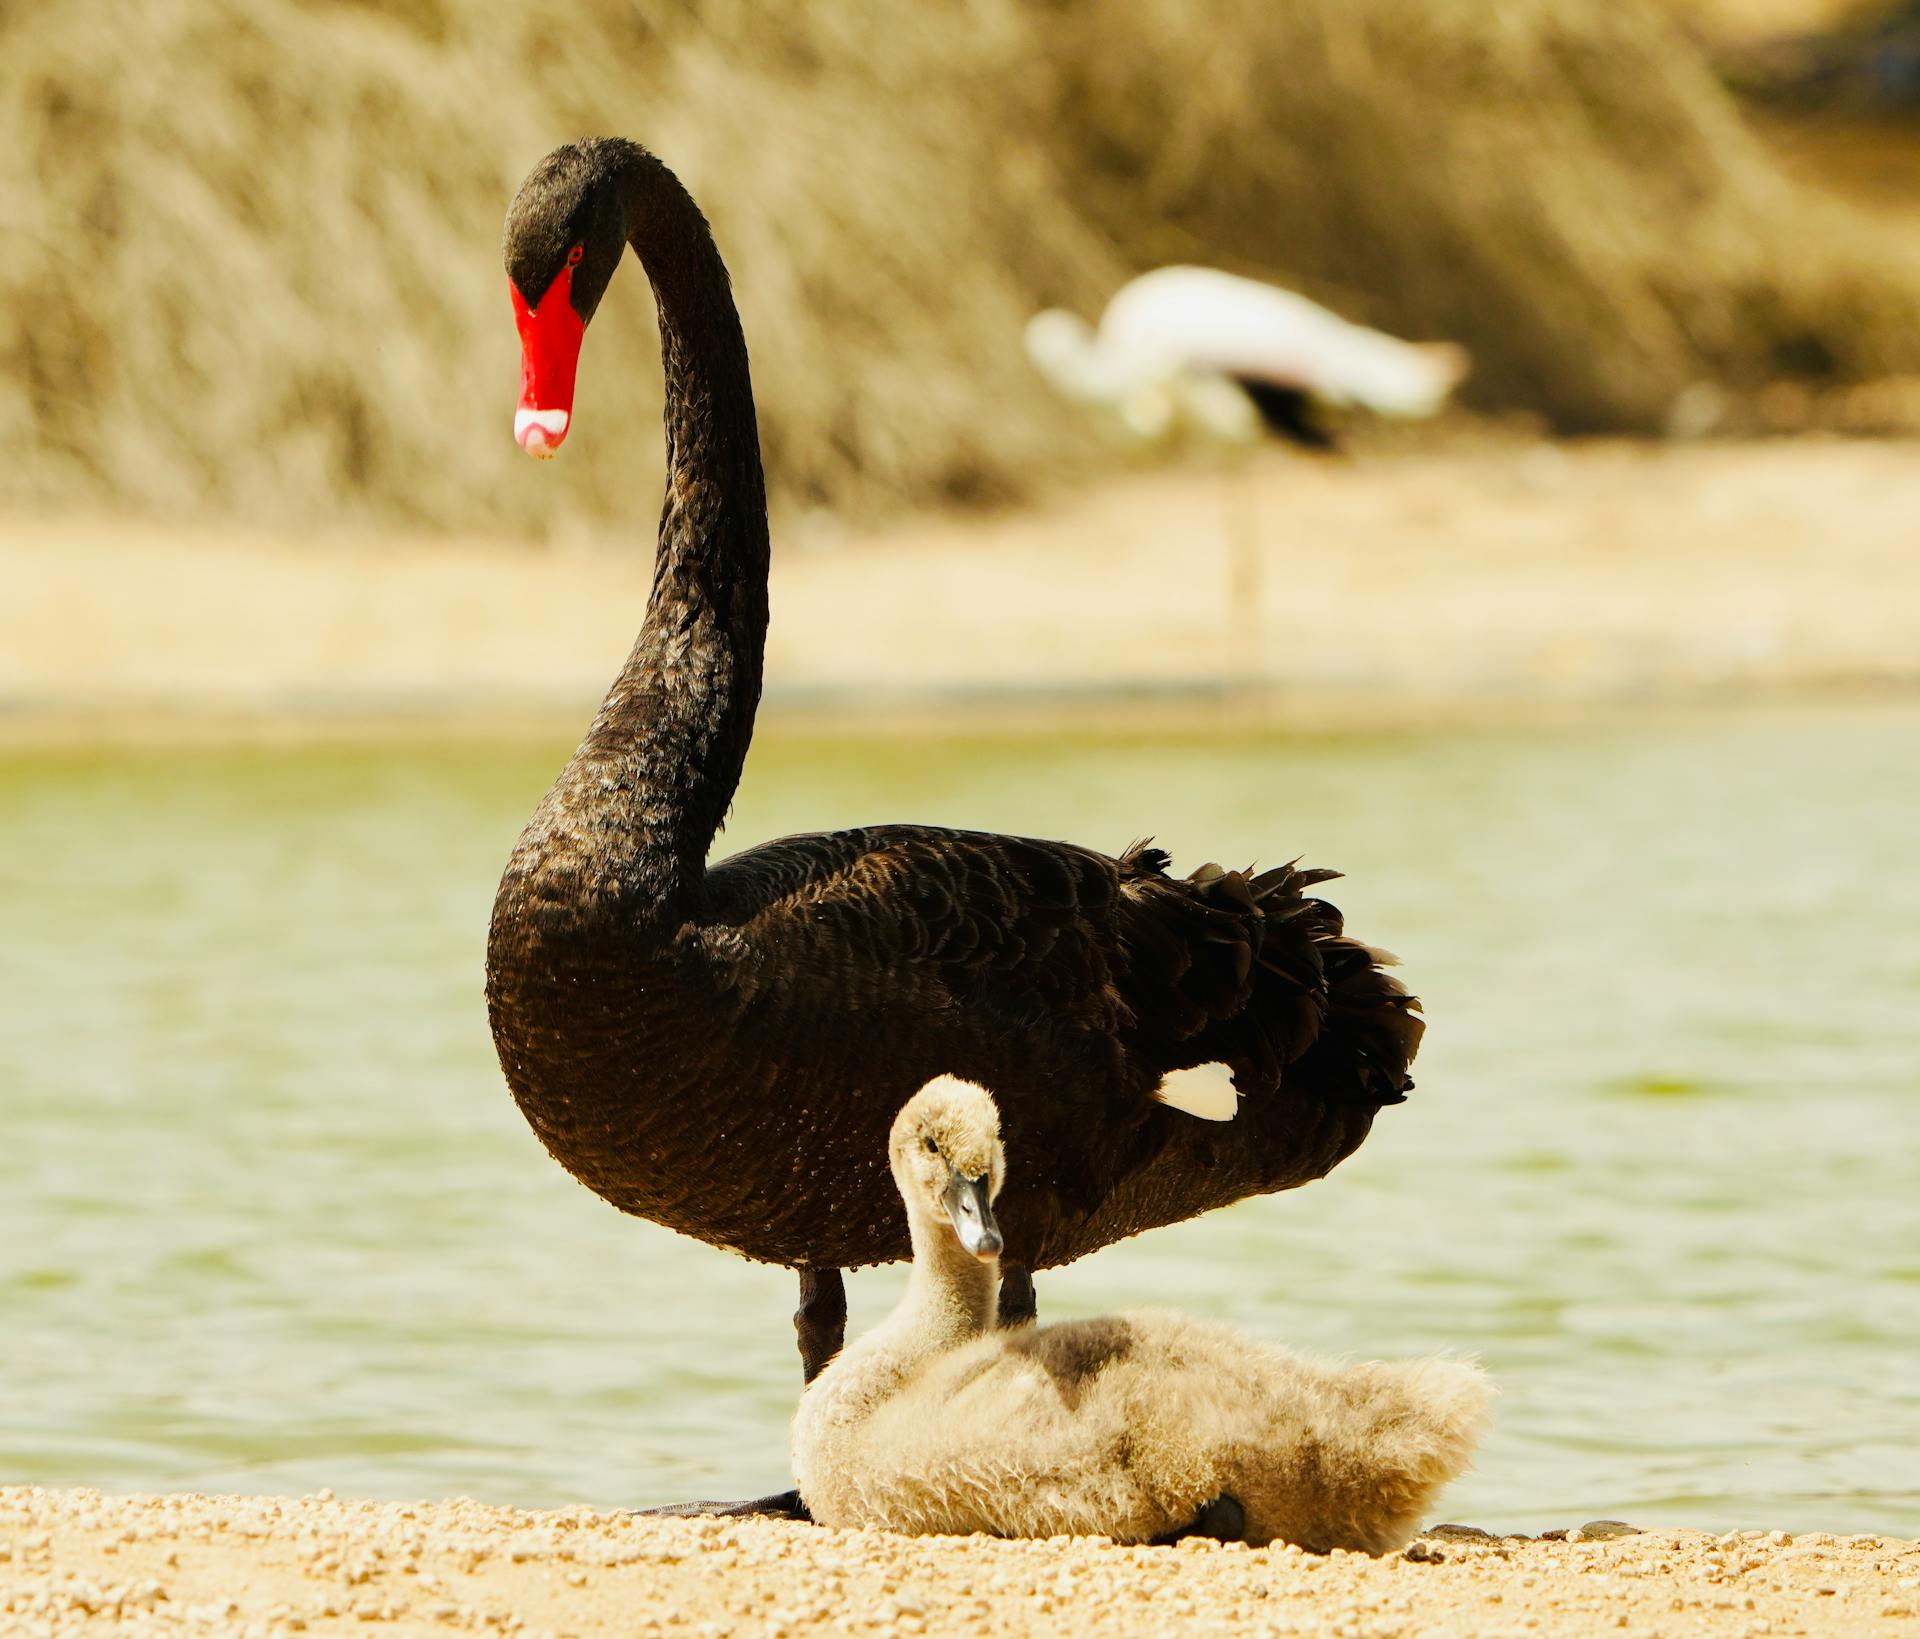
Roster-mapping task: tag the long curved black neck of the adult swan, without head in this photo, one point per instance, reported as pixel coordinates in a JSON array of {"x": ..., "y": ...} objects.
[{"x": 663, "y": 757}]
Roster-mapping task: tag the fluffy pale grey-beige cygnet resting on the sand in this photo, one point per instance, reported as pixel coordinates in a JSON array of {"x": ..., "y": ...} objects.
[{"x": 1126, "y": 1427}]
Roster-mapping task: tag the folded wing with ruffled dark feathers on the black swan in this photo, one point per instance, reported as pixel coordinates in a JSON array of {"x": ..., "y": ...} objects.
[{"x": 1057, "y": 953}]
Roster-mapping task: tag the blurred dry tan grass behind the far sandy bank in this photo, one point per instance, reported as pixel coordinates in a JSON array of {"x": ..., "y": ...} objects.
[{"x": 251, "y": 254}]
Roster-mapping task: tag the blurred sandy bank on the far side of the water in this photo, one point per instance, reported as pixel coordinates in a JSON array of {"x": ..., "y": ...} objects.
[{"x": 1481, "y": 581}]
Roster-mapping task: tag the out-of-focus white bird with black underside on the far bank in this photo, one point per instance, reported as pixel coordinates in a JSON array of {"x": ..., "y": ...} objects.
[{"x": 1232, "y": 354}]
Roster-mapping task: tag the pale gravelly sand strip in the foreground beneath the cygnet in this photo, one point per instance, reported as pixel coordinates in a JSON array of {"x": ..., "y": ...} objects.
[{"x": 82, "y": 1563}]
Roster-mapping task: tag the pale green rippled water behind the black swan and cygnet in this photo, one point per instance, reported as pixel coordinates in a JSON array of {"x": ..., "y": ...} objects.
[{"x": 270, "y": 1220}]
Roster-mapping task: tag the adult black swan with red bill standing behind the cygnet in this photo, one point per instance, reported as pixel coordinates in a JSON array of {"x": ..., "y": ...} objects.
[{"x": 723, "y": 1049}]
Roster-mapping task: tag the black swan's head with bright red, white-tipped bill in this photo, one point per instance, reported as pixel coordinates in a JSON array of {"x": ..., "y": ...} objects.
[{"x": 565, "y": 233}]
